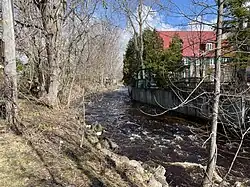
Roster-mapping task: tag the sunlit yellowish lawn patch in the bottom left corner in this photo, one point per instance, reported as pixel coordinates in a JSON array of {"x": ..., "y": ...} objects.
[{"x": 18, "y": 163}]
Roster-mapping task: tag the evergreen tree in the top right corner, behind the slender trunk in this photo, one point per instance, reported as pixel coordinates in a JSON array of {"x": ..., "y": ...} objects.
[{"x": 237, "y": 25}]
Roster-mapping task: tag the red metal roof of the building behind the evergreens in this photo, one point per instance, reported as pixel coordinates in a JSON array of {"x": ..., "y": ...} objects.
[{"x": 191, "y": 41}]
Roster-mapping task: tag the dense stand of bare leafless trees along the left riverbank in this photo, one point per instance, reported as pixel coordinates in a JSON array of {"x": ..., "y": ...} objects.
[{"x": 78, "y": 45}]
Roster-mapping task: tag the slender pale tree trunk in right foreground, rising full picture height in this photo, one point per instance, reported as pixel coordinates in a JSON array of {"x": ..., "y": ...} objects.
[{"x": 213, "y": 147}]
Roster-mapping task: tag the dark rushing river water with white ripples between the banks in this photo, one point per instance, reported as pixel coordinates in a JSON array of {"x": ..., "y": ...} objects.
[{"x": 142, "y": 138}]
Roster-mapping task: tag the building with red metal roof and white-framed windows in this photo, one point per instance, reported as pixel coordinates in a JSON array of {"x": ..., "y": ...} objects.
[{"x": 198, "y": 50}]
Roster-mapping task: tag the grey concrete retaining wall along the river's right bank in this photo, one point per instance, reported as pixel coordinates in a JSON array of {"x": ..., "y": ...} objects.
[{"x": 230, "y": 109}]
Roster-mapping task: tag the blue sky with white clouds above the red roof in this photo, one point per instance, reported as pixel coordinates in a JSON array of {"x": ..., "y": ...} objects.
[{"x": 169, "y": 15}]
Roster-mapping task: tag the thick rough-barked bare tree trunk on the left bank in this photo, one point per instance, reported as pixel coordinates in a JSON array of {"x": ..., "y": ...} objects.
[{"x": 51, "y": 12}]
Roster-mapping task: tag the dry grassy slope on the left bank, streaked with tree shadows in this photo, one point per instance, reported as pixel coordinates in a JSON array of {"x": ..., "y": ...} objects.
[{"x": 48, "y": 153}]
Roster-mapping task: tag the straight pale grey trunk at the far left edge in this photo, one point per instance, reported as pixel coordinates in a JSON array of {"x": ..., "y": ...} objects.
[{"x": 9, "y": 61}]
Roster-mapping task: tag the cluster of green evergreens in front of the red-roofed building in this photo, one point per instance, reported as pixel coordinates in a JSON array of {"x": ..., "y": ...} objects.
[{"x": 156, "y": 59}]
